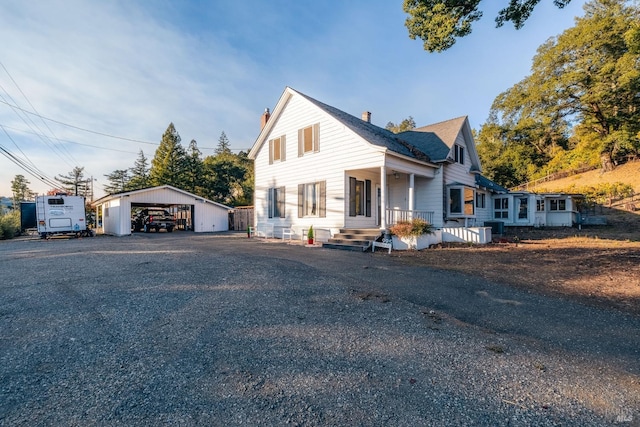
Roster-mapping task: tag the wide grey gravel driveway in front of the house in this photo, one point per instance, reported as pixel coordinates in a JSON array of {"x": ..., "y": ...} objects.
[{"x": 216, "y": 329}]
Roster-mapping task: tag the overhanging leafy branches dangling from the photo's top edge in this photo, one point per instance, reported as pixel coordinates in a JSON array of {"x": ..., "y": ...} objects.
[{"x": 439, "y": 22}]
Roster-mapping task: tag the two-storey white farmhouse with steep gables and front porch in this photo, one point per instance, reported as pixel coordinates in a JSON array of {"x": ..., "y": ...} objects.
[{"x": 318, "y": 166}]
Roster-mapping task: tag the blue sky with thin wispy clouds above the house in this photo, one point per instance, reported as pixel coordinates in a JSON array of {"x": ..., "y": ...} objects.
[{"x": 129, "y": 68}]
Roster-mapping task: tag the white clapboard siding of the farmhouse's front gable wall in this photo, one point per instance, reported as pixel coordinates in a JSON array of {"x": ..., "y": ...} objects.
[{"x": 340, "y": 150}]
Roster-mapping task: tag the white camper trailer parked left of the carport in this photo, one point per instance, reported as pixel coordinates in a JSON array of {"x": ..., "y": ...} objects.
[{"x": 61, "y": 214}]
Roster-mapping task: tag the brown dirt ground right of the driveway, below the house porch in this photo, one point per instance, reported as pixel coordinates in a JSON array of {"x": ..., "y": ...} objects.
[{"x": 596, "y": 265}]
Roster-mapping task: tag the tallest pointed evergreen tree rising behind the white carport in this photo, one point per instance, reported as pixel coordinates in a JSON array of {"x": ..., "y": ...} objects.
[{"x": 169, "y": 163}]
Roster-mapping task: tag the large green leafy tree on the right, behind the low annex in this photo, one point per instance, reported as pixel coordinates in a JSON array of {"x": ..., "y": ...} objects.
[{"x": 579, "y": 106}]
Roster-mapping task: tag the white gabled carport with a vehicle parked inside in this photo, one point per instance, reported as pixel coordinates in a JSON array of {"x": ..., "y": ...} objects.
[{"x": 195, "y": 213}]
